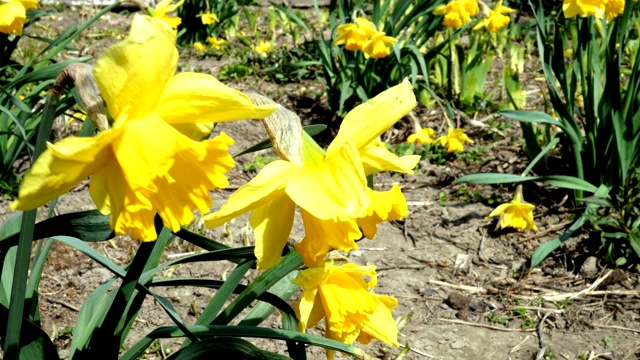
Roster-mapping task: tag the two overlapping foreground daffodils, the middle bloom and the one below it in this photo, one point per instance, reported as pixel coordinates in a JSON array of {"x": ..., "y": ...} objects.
[{"x": 337, "y": 208}]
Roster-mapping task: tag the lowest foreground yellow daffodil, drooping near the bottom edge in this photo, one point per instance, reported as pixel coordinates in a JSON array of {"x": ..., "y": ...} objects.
[{"x": 340, "y": 294}]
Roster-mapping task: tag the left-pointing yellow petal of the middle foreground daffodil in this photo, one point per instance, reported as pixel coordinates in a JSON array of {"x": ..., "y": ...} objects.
[{"x": 265, "y": 187}]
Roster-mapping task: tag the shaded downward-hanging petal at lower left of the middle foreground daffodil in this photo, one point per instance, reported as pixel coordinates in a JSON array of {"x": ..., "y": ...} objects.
[{"x": 271, "y": 225}]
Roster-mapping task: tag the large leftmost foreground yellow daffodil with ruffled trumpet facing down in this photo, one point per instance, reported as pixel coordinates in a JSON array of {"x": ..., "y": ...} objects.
[{"x": 144, "y": 165}]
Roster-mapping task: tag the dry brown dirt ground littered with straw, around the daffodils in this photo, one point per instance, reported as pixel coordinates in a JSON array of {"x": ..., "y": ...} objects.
[{"x": 464, "y": 288}]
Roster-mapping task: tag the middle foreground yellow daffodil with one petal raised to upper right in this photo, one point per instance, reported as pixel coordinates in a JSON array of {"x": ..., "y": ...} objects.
[{"x": 330, "y": 188}]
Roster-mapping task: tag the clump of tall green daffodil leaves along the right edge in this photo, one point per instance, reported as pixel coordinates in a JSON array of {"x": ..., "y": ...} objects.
[{"x": 594, "y": 97}]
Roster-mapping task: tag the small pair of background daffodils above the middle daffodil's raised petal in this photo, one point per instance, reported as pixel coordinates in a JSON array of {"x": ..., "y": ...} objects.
[{"x": 362, "y": 35}]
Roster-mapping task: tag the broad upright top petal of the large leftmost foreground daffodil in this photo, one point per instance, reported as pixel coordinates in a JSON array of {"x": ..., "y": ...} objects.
[{"x": 132, "y": 74}]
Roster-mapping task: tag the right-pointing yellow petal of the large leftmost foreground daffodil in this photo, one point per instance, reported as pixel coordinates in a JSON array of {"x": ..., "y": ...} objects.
[{"x": 200, "y": 98}]
